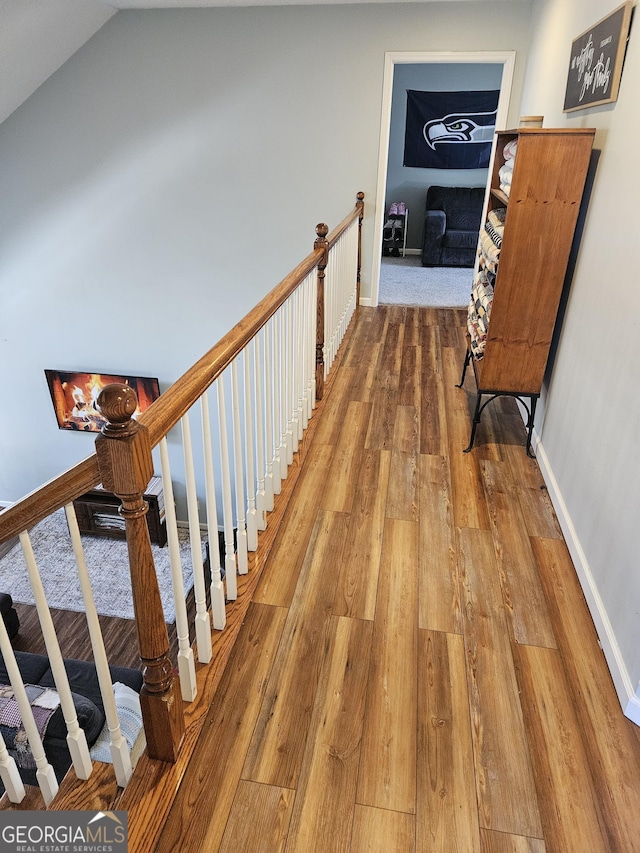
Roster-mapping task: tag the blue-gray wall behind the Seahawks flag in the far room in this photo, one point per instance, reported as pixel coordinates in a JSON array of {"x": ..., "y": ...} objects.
[{"x": 409, "y": 184}]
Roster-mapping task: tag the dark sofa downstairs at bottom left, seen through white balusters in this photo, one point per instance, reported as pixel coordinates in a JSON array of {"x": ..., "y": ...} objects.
[{"x": 83, "y": 681}]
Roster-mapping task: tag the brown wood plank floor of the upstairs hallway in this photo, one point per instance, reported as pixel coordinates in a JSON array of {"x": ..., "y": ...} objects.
[{"x": 417, "y": 670}]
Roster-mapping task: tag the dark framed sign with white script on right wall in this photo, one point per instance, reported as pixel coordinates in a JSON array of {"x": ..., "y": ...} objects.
[{"x": 595, "y": 65}]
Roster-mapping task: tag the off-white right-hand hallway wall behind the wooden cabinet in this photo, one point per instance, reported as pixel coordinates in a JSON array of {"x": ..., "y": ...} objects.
[{"x": 590, "y": 446}]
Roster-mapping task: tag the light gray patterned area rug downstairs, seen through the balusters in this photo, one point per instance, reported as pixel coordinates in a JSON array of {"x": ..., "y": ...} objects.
[{"x": 107, "y": 563}]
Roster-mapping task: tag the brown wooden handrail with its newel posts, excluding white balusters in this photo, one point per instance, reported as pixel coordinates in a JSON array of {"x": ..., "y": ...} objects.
[{"x": 123, "y": 463}]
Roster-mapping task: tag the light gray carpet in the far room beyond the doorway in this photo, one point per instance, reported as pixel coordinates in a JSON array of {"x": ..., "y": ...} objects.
[{"x": 404, "y": 281}]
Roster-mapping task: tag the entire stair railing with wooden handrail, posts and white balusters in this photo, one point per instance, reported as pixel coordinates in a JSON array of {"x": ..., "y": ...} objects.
[{"x": 266, "y": 374}]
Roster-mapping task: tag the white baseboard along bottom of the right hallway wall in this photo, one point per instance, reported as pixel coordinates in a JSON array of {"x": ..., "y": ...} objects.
[{"x": 629, "y": 701}]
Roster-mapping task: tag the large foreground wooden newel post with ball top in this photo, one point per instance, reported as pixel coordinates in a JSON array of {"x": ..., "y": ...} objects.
[{"x": 126, "y": 466}]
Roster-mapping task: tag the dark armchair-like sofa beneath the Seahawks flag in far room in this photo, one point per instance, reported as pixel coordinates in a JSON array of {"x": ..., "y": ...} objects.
[{"x": 451, "y": 226}]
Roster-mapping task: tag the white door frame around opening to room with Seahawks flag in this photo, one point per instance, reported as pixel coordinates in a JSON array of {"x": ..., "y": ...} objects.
[{"x": 506, "y": 58}]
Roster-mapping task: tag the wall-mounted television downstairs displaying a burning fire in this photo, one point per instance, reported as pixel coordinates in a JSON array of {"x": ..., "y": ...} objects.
[{"x": 74, "y": 394}]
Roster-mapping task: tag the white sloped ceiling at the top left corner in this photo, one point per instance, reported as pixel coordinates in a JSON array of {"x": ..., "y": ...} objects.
[{"x": 38, "y": 36}]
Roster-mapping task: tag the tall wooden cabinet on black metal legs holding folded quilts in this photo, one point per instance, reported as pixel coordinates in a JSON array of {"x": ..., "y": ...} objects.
[{"x": 546, "y": 186}]
